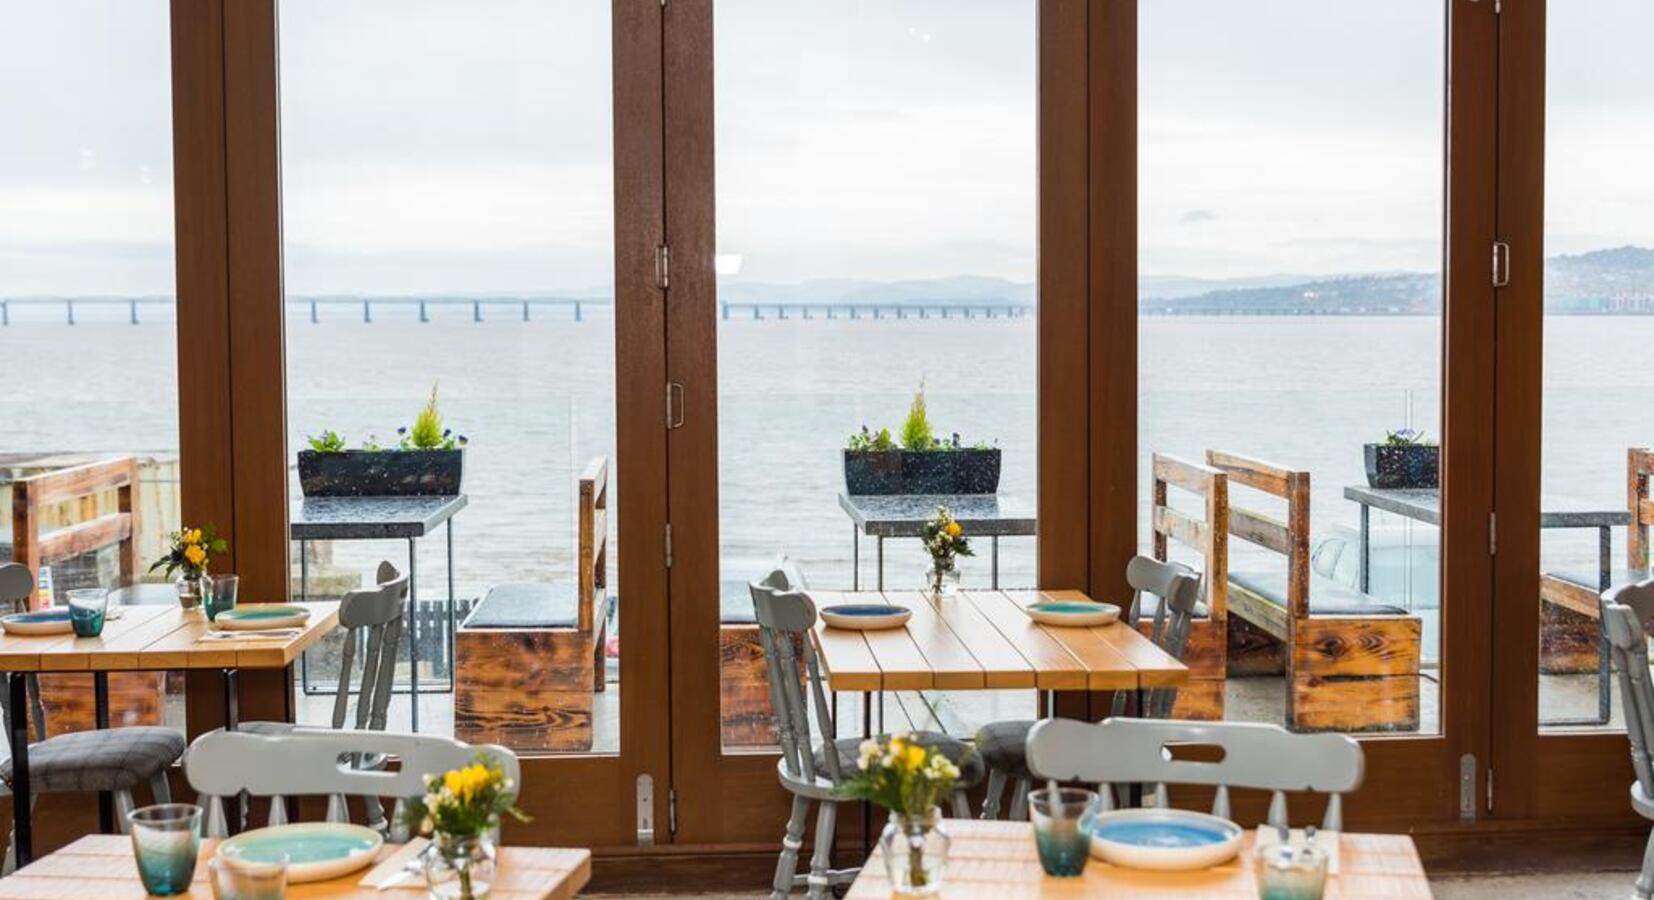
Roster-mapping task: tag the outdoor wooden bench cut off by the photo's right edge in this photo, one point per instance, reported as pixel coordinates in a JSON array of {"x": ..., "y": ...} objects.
[{"x": 1570, "y": 638}]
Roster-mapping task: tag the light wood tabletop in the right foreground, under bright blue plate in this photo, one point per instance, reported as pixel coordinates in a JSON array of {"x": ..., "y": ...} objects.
[{"x": 998, "y": 861}]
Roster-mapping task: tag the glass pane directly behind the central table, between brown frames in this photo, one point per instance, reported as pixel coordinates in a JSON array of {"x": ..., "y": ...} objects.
[{"x": 877, "y": 194}]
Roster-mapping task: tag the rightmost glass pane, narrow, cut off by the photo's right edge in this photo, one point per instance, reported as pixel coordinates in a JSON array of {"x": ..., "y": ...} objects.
[{"x": 1599, "y": 285}]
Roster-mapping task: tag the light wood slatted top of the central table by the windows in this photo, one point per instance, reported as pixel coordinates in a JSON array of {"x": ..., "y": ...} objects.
[{"x": 983, "y": 641}]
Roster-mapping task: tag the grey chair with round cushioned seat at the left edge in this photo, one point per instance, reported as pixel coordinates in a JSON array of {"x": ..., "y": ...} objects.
[{"x": 113, "y": 760}]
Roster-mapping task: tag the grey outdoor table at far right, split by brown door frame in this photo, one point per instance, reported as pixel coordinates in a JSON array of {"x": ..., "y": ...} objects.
[{"x": 1425, "y": 505}]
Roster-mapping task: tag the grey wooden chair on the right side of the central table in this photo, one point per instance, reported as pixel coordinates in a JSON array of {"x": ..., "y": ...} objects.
[{"x": 1170, "y": 593}]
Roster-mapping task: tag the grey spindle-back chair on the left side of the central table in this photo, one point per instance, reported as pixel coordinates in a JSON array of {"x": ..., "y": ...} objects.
[{"x": 811, "y": 772}]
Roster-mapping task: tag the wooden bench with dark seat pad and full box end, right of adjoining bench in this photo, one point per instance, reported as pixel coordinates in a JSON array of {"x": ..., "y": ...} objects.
[{"x": 1352, "y": 663}]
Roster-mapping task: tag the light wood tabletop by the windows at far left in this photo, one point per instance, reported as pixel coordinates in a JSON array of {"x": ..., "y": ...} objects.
[{"x": 153, "y": 638}]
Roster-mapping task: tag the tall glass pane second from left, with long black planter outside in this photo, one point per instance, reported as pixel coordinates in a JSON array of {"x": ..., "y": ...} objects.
[{"x": 449, "y": 221}]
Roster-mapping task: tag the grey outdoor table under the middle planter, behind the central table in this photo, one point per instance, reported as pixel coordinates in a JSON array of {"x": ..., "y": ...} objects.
[{"x": 904, "y": 515}]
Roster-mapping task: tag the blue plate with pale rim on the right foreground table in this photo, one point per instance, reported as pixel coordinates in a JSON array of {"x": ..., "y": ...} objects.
[{"x": 1164, "y": 840}]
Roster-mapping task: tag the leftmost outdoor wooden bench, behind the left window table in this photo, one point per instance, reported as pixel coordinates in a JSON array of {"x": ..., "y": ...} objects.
[{"x": 67, "y": 495}]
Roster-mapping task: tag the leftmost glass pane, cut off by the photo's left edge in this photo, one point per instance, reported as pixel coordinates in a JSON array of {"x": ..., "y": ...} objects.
[{"x": 87, "y": 310}]
